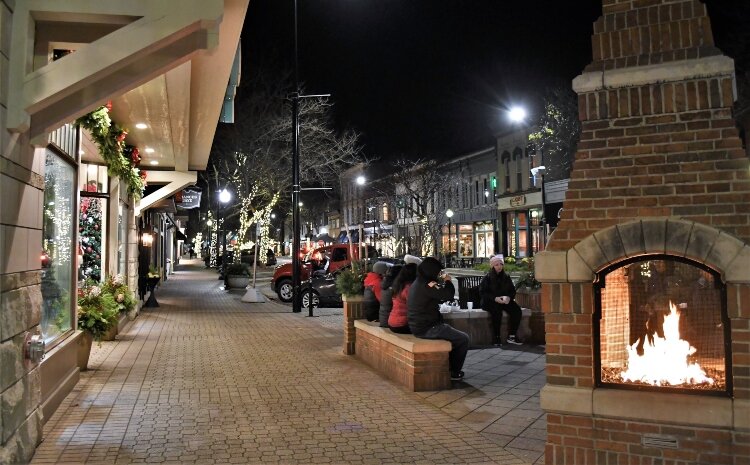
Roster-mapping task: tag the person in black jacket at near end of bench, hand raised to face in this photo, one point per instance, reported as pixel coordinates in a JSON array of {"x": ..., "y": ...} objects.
[{"x": 423, "y": 312}]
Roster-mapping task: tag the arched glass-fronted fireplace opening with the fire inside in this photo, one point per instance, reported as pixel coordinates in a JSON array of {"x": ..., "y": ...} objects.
[{"x": 662, "y": 325}]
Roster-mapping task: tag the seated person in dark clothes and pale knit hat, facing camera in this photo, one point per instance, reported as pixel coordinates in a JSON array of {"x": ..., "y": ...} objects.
[{"x": 498, "y": 294}]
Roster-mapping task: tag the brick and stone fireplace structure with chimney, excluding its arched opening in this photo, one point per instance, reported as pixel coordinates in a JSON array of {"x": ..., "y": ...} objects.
[{"x": 660, "y": 170}]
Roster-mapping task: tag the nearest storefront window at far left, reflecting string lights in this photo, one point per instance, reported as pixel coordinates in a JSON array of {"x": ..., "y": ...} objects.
[{"x": 57, "y": 247}]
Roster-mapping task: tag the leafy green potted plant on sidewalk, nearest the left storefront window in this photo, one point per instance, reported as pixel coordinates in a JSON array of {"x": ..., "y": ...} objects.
[{"x": 97, "y": 314}]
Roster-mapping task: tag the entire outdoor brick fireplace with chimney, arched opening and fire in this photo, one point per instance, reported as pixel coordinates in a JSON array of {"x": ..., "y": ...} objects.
[{"x": 654, "y": 239}]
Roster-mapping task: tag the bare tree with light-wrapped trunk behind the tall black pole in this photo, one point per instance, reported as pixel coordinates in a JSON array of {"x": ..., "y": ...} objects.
[{"x": 253, "y": 155}]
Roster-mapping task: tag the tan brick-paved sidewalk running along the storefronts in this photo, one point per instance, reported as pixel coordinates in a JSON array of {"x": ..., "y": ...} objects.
[{"x": 206, "y": 378}]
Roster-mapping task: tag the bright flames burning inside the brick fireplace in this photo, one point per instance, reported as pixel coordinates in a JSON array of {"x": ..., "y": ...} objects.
[{"x": 665, "y": 362}]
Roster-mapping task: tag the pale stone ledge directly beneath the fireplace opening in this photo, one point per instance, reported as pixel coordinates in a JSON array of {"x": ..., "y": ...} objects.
[{"x": 684, "y": 409}]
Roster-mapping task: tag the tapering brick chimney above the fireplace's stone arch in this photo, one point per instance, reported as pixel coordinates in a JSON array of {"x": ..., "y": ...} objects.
[{"x": 658, "y": 138}]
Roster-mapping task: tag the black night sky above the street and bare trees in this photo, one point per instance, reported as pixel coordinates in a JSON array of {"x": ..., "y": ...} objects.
[{"x": 425, "y": 78}]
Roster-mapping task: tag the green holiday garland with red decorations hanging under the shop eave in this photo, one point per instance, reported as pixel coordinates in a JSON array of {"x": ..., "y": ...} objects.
[{"x": 122, "y": 159}]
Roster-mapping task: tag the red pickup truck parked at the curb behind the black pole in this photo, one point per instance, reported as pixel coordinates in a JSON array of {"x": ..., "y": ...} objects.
[{"x": 328, "y": 259}]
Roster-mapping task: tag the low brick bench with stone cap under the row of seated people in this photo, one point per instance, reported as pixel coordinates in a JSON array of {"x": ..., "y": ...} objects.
[{"x": 418, "y": 364}]
